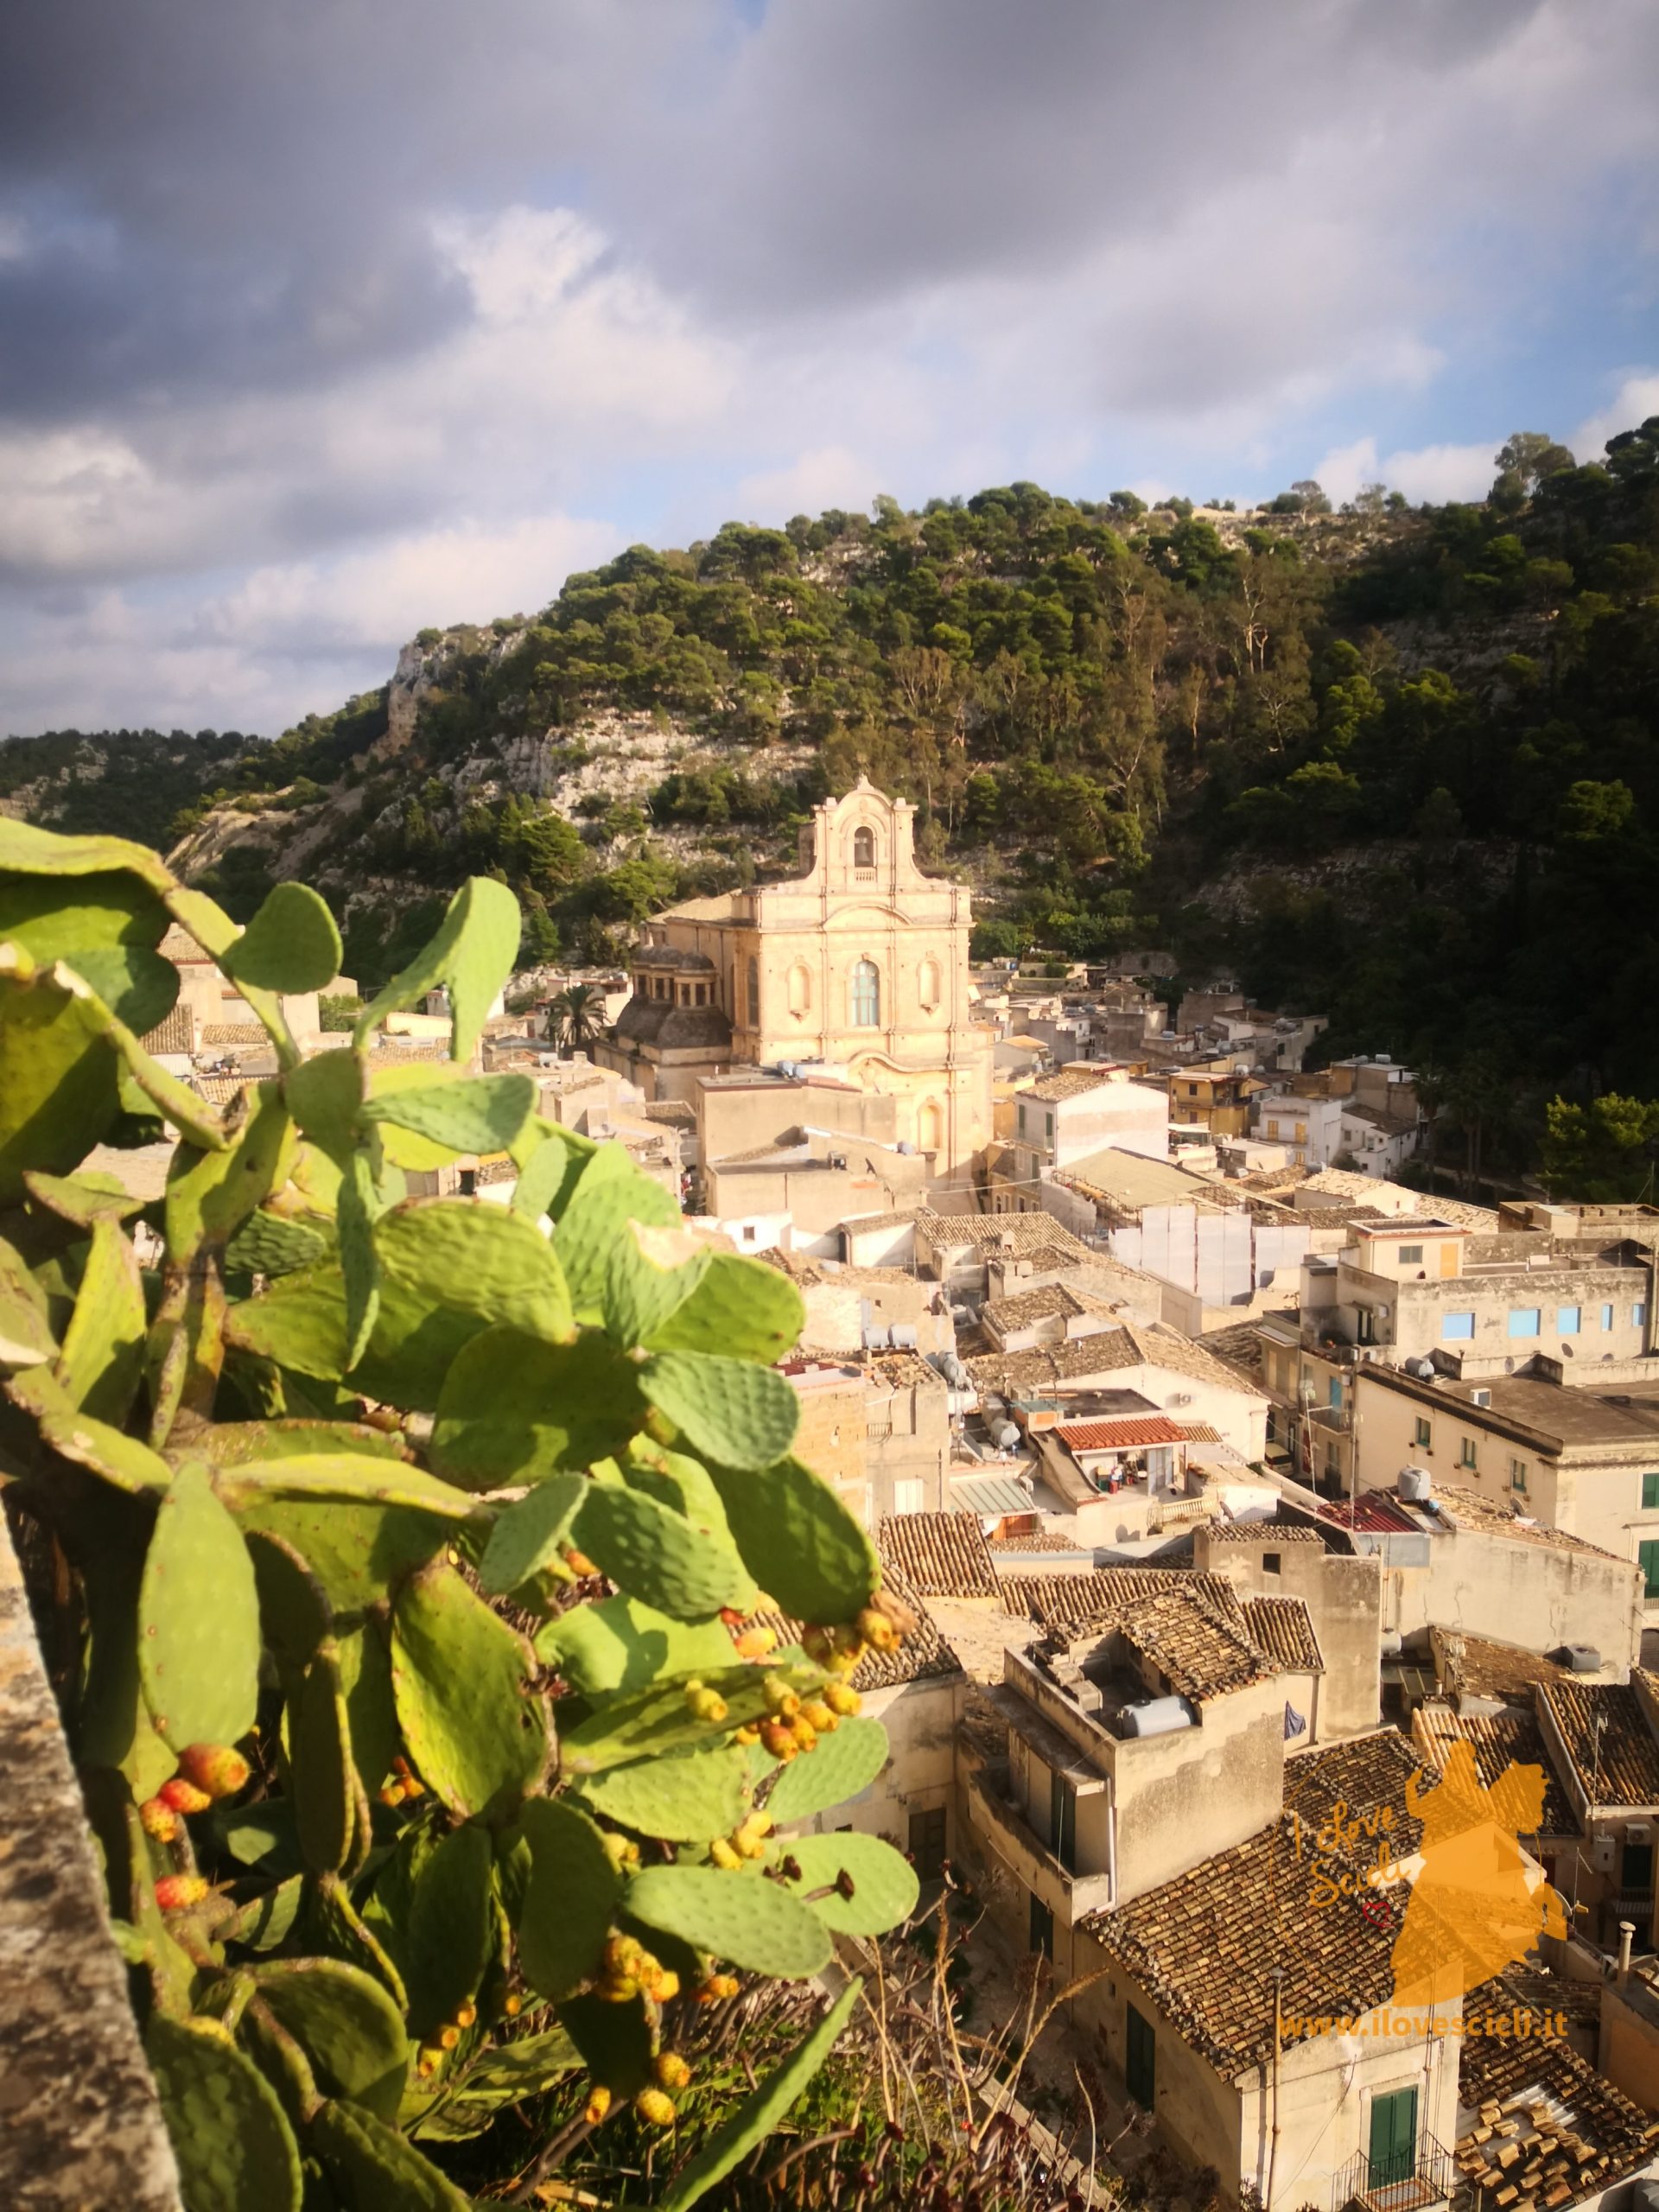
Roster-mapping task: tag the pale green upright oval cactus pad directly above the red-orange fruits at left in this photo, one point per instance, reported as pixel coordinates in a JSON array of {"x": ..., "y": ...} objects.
[{"x": 198, "y": 1620}]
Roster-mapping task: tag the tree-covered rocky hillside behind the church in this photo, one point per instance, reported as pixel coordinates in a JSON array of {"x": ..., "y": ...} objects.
[{"x": 1395, "y": 764}]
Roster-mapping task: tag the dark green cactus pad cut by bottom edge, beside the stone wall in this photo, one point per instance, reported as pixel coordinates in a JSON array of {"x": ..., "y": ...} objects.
[{"x": 229, "y": 2133}]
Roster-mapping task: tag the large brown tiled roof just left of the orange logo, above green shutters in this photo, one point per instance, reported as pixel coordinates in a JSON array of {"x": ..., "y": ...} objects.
[{"x": 1207, "y": 1945}]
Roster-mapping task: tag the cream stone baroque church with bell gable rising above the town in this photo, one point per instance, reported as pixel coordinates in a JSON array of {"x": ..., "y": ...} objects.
[{"x": 859, "y": 968}]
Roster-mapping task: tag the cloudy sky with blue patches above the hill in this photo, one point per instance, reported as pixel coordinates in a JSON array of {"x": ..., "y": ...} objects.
[{"x": 324, "y": 322}]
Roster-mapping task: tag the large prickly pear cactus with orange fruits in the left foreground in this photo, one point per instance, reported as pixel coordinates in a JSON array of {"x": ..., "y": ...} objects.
[{"x": 410, "y": 1545}]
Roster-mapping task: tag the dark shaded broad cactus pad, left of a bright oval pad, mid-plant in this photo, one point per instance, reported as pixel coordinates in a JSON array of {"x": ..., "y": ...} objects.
[{"x": 519, "y": 1410}]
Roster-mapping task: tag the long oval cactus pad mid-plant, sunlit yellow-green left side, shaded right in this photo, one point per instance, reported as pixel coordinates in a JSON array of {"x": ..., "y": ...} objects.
[{"x": 463, "y": 1687}]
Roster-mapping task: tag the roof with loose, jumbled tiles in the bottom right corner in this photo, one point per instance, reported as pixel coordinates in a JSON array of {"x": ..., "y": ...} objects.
[{"x": 1550, "y": 2129}]
